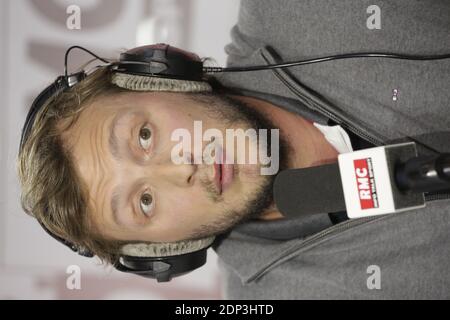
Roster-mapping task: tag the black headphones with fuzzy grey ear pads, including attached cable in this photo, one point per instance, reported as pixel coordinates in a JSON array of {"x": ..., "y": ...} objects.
[{"x": 162, "y": 67}]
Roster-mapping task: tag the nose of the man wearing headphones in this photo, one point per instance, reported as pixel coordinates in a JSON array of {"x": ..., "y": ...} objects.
[{"x": 181, "y": 175}]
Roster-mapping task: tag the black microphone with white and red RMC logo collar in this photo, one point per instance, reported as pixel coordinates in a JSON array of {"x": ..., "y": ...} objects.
[{"x": 364, "y": 183}]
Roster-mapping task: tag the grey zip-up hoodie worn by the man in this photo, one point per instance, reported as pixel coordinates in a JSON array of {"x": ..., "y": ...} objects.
[{"x": 404, "y": 255}]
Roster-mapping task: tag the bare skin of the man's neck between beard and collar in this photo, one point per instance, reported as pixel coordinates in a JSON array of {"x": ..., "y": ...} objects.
[{"x": 306, "y": 144}]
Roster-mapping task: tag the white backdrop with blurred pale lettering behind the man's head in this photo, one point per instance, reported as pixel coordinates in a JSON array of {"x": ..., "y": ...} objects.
[{"x": 34, "y": 37}]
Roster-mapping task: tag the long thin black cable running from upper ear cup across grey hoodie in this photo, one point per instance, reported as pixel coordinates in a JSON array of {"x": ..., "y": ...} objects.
[{"x": 328, "y": 58}]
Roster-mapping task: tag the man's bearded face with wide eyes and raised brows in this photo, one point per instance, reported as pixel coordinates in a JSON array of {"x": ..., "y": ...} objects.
[{"x": 123, "y": 152}]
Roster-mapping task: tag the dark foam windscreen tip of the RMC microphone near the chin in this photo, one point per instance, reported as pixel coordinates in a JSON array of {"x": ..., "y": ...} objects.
[{"x": 309, "y": 191}]
